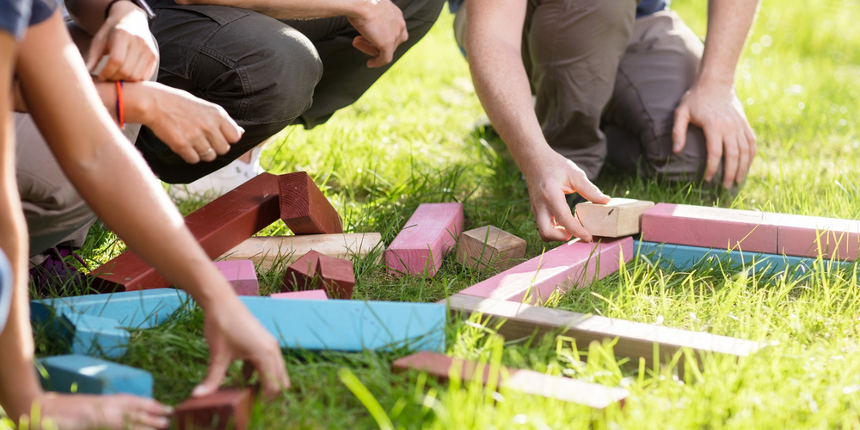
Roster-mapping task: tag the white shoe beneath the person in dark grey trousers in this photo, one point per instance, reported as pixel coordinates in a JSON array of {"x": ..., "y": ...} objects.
[{"x": 221, "y": 181}]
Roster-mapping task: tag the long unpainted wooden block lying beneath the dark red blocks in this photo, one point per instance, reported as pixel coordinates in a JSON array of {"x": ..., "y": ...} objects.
[{"x": 265, "y": 251}]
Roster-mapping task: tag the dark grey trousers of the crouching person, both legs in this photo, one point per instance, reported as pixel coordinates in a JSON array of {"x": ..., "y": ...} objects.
[{"x": 267, "y": 74}]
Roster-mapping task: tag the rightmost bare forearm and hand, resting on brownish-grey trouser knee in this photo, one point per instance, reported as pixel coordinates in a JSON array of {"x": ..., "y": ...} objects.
[{"x": 711, "y": 103}]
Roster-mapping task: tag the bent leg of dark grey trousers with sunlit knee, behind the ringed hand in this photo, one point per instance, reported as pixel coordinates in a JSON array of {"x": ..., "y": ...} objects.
[{"x": 260, "y": 70}]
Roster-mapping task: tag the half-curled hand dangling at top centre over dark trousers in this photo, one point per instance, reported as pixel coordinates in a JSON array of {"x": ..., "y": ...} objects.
[{"x": 382, "y": 30}]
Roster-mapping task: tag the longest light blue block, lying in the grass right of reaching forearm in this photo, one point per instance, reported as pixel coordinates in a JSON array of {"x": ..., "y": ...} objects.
[{"x": 351, "y": 325}]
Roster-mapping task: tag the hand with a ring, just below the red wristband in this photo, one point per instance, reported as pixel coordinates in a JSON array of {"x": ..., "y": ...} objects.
[{"x": 193, "y": 128}]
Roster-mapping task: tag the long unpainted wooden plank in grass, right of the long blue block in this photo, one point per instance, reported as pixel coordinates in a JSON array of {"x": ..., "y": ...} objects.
[{"x": 634, "y": 340}]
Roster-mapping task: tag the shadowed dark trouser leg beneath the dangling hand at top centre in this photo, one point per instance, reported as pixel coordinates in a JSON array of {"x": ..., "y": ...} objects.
[{"x": 346, "y": 76}]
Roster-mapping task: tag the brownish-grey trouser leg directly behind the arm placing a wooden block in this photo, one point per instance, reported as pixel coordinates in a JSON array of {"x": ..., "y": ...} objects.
[{"x": 571, "y": 51}]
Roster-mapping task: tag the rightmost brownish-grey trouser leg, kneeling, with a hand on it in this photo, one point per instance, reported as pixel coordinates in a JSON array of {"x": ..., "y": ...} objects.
[{"x": 660, "y": 64}]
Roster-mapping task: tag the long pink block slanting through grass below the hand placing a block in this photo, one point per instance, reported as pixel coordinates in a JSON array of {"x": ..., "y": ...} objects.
[{"x": 574, "y": 264}]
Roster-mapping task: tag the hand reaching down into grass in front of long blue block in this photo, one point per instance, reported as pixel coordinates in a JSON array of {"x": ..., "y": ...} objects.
[{"x": 234, "y": 334}]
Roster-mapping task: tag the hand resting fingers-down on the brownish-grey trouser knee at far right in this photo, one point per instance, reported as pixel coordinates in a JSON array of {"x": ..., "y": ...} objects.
[{"x": 717, "y": 110}]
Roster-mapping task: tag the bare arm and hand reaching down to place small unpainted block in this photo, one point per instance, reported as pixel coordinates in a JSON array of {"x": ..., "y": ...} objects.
[{"x": 493, "y": 44}]
